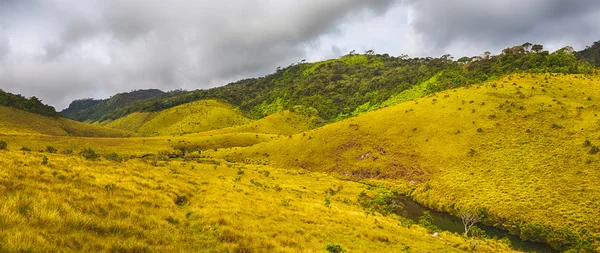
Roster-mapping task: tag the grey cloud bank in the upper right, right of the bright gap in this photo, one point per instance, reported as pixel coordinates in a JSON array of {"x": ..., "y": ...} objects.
[{"x": 498, "y": 24}]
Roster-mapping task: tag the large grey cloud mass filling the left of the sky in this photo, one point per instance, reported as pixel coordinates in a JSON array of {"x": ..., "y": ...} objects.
[{"x": 71, "y": 49}]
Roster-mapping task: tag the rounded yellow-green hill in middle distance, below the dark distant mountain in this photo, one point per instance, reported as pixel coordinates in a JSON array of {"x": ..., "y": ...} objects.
[{"x": 192, "y": 117}]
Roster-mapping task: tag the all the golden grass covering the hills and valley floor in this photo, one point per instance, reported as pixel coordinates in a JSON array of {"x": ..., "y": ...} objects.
[{"x": 520, "y": 147}]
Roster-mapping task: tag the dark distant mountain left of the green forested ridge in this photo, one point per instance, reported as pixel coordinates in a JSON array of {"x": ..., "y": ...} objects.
[{"x": 96, "y": 110}]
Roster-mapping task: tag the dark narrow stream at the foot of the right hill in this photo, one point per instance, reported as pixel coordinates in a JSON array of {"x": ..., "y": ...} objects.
[{"x": 446, "y": 222}]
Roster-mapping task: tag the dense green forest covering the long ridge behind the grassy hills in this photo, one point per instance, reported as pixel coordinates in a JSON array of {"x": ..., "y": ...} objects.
[{"x": 339, "y": 88}]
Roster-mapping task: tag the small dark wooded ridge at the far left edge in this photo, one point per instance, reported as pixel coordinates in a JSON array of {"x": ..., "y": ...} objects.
[{"x": 32, "y": 104}]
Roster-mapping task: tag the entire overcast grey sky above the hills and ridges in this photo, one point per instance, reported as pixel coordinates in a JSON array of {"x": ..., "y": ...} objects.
[{"x": 61, "y": 50}]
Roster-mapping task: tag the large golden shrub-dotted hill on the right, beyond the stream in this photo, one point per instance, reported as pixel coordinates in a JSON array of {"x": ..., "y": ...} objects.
[{"x": 521, "y": 151}]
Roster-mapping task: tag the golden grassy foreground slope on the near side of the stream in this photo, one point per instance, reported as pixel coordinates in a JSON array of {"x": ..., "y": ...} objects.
[{"x": 64, "y": 203}]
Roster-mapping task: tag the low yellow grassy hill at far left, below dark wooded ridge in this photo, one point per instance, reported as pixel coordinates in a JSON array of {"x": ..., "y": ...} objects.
[{"x": 18, "y": 122}]
